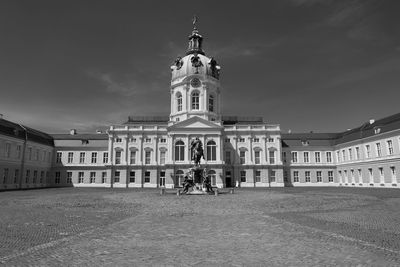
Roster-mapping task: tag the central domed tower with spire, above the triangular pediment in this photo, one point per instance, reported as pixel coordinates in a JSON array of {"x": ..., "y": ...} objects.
[{"x": 195, "y": 86}]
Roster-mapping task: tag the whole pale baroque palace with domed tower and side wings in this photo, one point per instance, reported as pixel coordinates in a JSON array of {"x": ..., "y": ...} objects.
[{"x": 239, "y": 151}]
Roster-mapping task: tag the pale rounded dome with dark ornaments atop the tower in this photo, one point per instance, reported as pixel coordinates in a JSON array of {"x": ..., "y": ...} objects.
[{"x": 195, "y": 64}]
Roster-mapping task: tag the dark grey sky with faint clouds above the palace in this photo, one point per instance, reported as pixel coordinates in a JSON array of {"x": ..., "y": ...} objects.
[{"x": 308, "y": 65}]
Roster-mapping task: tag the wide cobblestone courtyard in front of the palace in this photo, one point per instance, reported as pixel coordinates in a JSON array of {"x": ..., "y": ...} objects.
[{"x": 287, "y": 226}]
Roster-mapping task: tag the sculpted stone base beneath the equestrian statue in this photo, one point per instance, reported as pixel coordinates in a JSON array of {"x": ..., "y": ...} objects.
[{"x": 196, "y": 182}]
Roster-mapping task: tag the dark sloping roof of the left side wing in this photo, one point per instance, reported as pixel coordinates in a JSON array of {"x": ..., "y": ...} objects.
[{"x": 18, "y": 131}]
